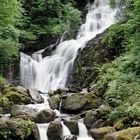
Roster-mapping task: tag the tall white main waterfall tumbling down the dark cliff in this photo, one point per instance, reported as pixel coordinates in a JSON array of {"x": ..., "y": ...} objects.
[{"x": 51, "y": 72}]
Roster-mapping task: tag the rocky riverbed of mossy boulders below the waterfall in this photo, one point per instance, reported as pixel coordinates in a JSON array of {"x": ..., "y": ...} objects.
[{"x": 18, "y": 121}]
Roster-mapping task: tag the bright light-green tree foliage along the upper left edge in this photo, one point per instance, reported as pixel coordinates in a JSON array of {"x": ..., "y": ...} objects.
[{"x": 10, "y": 12}]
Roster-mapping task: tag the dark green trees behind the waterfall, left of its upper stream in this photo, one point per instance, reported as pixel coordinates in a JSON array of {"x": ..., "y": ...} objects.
[{"x": 47, "y": 19}]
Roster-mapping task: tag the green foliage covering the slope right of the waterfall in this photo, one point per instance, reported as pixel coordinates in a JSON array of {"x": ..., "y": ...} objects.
[{"x": 119, "y": 81}]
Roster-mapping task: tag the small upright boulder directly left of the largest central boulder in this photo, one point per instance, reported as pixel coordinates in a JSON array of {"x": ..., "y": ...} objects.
[{"x": 54, "y": 101}]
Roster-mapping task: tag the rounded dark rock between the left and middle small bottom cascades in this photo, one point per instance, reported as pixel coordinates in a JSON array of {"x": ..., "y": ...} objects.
[{"x": 55, "y": 131}]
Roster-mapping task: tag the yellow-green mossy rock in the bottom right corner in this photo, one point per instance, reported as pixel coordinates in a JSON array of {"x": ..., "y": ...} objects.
[{"x": 127, "y": 134}]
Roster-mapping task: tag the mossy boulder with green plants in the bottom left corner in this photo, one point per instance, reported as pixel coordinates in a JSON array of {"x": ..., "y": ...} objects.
[{"x": 18, "y": 129}]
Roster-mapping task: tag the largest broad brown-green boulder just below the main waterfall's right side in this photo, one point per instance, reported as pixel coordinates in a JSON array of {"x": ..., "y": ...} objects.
[{"x": 77, "y": 102}]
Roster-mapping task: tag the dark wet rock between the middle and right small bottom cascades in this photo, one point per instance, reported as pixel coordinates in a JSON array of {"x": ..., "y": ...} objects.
[{"x": 73, "y": 126}]
